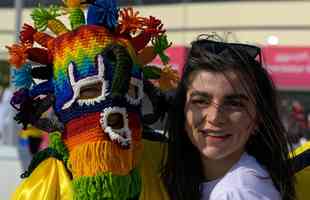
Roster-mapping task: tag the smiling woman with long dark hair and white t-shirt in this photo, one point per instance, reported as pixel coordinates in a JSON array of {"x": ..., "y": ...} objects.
[{"x": 229, "y": 142}]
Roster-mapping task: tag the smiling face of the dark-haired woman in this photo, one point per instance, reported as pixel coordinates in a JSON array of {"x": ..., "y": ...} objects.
[{"x": 219, "y": 114}]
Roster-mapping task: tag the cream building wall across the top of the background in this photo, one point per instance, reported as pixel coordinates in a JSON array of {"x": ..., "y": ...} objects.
[{"x": 250, "y": 21}]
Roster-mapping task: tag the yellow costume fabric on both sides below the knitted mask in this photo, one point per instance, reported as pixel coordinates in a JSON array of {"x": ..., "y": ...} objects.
[{"x": 51, "y": 181}]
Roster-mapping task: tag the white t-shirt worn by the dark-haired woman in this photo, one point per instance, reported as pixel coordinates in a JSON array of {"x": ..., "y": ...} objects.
[{"x": 246, "y": 180}]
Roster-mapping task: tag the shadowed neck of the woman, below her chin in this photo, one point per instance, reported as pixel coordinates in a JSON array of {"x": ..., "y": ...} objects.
[{"x": 217, "y": 168}]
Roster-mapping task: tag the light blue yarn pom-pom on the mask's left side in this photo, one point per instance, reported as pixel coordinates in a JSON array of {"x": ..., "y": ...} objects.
[{"x": 21, "y": 78}]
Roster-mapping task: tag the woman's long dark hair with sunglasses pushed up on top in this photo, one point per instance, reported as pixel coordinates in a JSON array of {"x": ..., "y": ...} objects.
[{"x": 182, "y": 171}]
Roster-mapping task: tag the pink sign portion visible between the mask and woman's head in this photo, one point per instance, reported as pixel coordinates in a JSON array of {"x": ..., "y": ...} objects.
[{"x": 177, "y": 55}]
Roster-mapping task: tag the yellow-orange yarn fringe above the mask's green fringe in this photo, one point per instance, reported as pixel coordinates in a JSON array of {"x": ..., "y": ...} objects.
[{"x": 103, "y": 156}]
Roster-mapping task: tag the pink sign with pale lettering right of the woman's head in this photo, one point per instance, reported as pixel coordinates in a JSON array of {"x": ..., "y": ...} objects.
[{"x": 289, "y": 66}]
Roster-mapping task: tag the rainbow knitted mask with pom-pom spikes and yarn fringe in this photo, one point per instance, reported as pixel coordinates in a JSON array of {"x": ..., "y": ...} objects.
[{"x": 94, "y": 76}]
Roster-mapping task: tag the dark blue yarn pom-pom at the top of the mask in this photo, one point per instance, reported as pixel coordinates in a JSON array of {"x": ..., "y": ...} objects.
[{"x": 103, "y": 13}]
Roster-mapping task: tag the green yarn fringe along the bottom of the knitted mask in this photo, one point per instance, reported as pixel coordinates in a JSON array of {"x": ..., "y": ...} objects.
[{"x": 107, "y": 187}]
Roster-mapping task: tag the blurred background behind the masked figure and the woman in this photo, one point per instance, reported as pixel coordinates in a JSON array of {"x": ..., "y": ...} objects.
[{"x": 281, "y": 28}]
